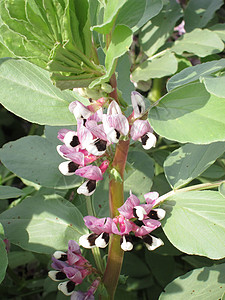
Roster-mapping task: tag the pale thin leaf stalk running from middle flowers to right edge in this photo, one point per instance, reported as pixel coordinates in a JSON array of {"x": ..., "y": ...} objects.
[{"x": 197, "y": 187}]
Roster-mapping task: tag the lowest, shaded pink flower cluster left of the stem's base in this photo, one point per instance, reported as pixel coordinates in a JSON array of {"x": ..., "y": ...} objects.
[{"x": 71, "y": 268}]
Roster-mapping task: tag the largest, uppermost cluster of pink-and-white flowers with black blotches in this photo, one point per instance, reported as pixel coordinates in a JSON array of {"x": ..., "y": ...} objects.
[{"x": 96, "y": 132}]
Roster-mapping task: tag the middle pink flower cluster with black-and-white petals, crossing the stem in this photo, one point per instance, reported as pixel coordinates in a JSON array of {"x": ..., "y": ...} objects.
[{"x": 134, "y": 221}]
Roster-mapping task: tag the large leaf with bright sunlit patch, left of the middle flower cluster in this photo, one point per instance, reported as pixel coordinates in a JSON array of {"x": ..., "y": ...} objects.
[{"x": 43, "y": 224}]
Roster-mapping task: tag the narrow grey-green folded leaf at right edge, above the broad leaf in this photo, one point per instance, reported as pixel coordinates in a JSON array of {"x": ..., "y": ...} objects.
[{"x": 194, "y": 73}]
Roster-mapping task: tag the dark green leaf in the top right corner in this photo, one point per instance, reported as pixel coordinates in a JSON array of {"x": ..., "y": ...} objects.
[{"x": 199, "y": 13}]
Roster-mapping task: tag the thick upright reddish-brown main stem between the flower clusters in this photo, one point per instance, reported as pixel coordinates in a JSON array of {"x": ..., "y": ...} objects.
[{"x": 116, "y": 199}]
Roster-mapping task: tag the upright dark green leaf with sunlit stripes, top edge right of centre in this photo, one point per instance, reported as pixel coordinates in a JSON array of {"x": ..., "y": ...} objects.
[{"x": 155, "y": 33}]
